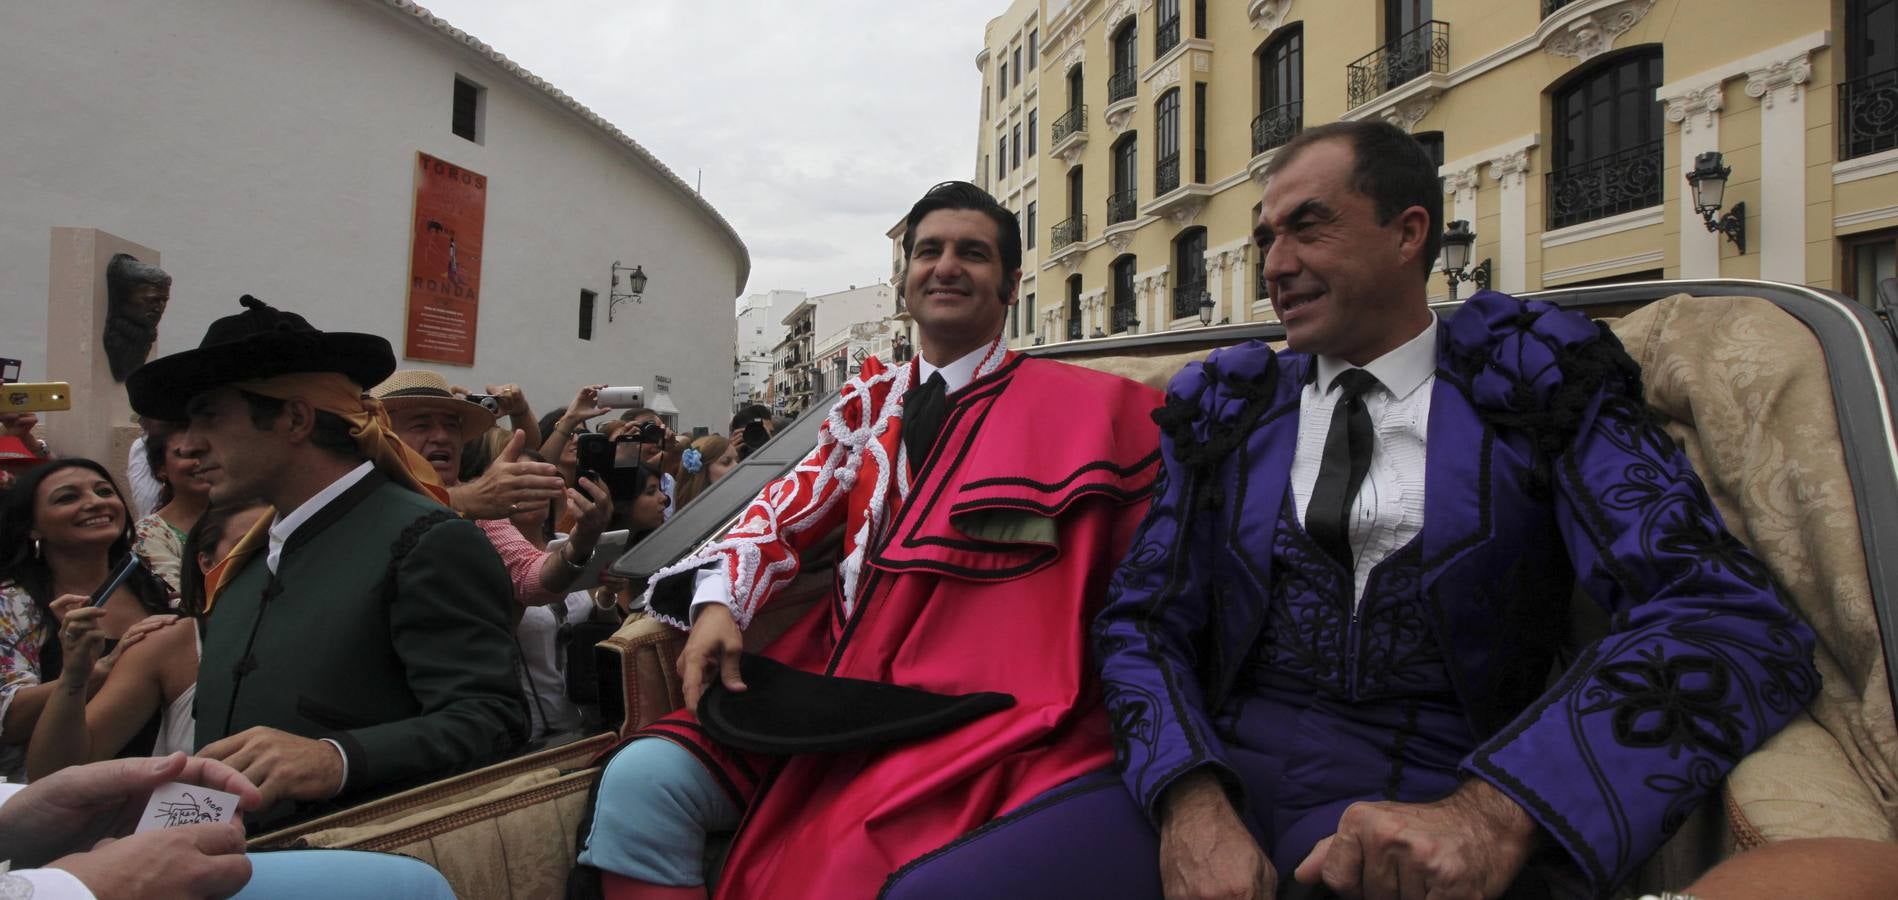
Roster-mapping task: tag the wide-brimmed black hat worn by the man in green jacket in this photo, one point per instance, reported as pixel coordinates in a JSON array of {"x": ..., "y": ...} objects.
[{"x": 259, "y": 343}]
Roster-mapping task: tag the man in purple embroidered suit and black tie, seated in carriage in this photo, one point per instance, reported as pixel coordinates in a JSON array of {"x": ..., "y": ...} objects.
[{"x": 1328, "y": 656}]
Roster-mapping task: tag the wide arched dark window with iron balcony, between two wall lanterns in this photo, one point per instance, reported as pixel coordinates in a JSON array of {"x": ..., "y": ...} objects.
[{"x": 1607, "y": 141}]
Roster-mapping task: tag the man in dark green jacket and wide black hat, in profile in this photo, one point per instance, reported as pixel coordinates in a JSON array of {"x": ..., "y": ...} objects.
[{"x": 358, "y": 641}]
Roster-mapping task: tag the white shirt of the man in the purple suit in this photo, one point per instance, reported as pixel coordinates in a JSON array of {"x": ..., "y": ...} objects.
[{"x": 1390, "y": 506}]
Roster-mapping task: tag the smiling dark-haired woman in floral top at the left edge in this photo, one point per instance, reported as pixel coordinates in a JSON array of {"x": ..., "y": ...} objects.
[{"x": 62, "y": 529}]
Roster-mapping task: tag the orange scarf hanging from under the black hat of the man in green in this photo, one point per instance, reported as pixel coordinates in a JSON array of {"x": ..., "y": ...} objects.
[{"x": 369, "y": 426}]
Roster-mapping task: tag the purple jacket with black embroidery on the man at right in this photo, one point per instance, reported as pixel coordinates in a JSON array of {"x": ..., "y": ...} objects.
[{"x": 1544, "y": 470}]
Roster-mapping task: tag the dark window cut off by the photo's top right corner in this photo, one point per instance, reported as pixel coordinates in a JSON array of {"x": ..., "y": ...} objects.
[{"x": 1869, "y": 98}]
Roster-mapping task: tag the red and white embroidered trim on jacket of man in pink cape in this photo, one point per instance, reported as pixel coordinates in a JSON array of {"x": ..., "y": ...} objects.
[{"x": 836, "y": 476}]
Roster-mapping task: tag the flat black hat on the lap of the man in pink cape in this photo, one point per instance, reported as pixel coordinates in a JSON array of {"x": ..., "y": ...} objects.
[{"x": 789, "y": 711}]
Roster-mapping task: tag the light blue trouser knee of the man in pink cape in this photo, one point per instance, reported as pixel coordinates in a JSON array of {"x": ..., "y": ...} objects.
[{"x": 656, "y": 806}]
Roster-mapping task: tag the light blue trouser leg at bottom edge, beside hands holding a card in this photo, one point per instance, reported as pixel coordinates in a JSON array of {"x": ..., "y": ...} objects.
[{"x": 343, "y": 876}]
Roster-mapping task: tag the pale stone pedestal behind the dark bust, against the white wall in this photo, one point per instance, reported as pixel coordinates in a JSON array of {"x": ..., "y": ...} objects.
[{"x": 102, "y": 424}]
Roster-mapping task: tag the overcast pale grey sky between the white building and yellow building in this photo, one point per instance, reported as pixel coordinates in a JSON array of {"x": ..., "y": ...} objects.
[{"x": 815, "y": 122}]
